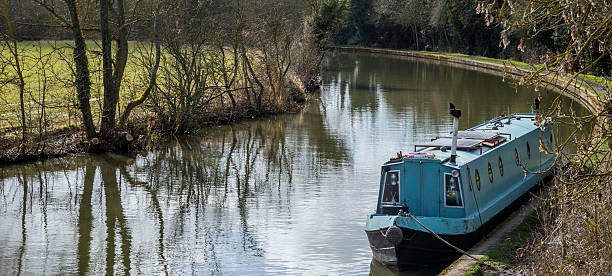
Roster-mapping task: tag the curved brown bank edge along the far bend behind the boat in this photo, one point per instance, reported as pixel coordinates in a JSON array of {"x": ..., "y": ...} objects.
[{"x": 586, "y": 90}]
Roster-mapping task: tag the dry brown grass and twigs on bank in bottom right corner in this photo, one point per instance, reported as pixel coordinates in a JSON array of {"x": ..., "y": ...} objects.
[{"x": 573, "y": 238}]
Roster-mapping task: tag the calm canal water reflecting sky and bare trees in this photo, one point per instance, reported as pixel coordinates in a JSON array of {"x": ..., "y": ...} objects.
[{"x": 282, "y": 195}]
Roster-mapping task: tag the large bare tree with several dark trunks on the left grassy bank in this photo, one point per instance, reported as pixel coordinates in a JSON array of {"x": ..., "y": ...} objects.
[{"x": 113, "y": 26}]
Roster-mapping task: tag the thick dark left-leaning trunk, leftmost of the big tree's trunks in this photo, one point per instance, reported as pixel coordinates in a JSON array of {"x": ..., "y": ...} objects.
[{"x": 83, "y": 83}]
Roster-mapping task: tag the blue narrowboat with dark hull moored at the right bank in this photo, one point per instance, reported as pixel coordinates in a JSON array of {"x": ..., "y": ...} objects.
[{"x": 454, "y": 187}]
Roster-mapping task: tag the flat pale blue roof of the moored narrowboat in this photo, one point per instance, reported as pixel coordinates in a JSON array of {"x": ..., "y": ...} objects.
[{"x": 472, "y": 143}]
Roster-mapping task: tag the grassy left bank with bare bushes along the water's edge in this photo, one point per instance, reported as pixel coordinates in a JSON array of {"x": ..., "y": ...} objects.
[{"x": 41, "y": 118}]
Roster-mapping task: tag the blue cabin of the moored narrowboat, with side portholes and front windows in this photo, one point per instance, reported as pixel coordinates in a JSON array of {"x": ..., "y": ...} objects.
[{"x": 472, "y": 179}]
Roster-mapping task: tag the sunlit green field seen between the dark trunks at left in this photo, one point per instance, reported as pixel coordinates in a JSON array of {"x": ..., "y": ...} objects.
[{"x": 48, "y": 74}]
